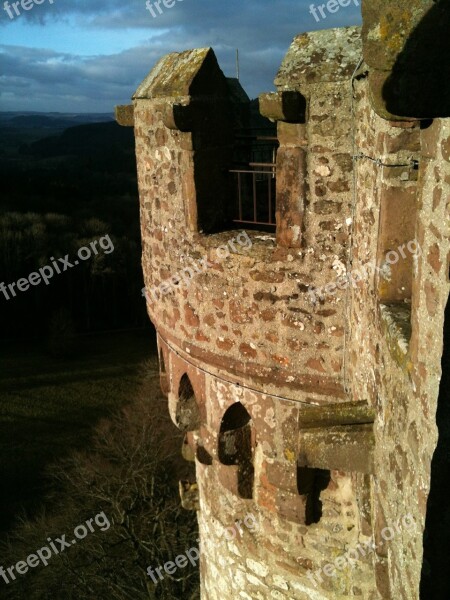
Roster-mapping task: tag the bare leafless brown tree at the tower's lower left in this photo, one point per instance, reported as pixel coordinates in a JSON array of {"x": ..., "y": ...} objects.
[{"x": 131, "y": 474}]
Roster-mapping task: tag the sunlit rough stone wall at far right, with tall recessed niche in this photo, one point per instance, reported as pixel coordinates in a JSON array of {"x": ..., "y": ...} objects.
[{"x": 398, "y": 370}]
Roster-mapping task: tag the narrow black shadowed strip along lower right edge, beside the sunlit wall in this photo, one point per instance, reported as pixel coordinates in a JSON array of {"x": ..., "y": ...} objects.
[{"x": 435, "y": 583}]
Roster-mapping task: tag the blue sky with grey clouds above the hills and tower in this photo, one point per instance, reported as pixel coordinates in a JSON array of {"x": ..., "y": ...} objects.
[{"x": 89, "y": 55}]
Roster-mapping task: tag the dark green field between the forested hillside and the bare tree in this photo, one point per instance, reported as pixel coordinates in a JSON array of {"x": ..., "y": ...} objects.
[{"x": 48, "y": 407}]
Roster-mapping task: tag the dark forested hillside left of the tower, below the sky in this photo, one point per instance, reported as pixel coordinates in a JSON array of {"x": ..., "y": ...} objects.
[{"x": 59, "y": 192}]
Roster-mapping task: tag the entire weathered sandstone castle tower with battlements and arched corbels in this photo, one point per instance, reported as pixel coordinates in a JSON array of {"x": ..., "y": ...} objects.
[{"x": 304, "y": 361}]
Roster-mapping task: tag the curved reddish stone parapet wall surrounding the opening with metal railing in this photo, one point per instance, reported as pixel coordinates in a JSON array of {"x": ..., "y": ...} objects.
[{"x": 250, "y": 313}]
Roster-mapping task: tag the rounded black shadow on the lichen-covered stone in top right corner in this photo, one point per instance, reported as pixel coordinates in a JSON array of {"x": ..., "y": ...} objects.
[{"x": 419, "y": 84}]
